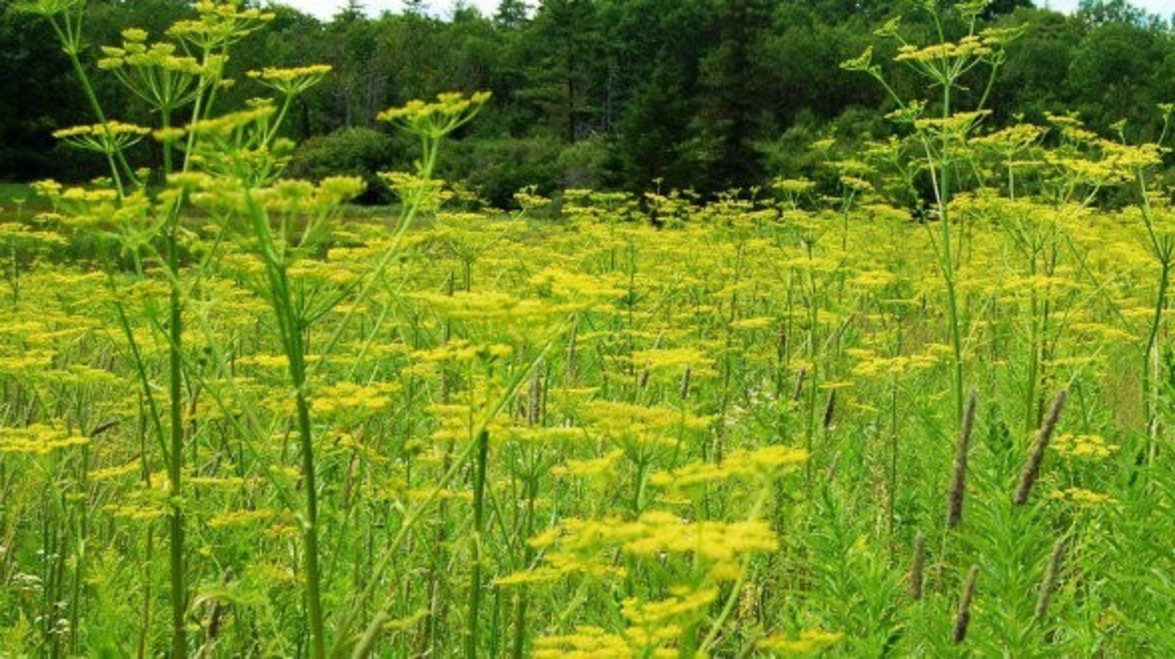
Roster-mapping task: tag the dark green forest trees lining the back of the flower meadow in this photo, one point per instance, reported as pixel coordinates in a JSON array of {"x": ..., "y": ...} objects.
[{"x": 609, "y": 95}]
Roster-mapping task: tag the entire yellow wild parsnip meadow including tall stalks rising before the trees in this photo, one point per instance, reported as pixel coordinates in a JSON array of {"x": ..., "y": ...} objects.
[{"x": 236, "y": 421}]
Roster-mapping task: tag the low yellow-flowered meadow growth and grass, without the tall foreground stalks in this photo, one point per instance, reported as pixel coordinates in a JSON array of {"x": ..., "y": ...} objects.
[{"x": 602, "y": 429}]
